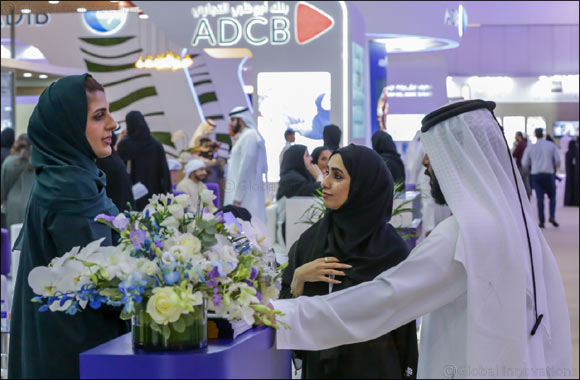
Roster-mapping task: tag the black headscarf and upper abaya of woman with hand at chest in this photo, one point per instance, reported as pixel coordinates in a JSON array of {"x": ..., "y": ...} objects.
[{"x": 358, "y": 233}]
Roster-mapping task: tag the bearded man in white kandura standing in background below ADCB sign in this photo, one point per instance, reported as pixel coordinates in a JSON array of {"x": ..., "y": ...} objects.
[{"x": 247, "y": 165}]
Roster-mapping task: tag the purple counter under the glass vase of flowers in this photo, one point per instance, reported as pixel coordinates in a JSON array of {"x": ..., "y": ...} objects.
[{"x": 252, "y": 355}]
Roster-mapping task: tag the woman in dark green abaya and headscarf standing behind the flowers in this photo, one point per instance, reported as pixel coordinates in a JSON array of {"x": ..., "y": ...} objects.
[{"x": 70, "y": 127}]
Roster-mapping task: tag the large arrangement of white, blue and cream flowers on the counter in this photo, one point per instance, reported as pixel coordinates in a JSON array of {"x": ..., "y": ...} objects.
[{"x": 170, "y": 259}]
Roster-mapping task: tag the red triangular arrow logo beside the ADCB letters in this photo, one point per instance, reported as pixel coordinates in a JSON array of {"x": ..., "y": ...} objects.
[{"x": 310, "y": 22}]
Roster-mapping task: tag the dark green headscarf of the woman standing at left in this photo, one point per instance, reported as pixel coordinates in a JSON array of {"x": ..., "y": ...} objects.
[{"x": 68, "y": 180}]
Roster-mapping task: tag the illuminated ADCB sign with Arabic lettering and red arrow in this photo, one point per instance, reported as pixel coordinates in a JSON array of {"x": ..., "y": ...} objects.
[{"x": 266, "y": 22}]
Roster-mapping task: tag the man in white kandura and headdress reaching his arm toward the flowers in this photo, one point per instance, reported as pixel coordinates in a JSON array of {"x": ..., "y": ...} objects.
[{"x": 485, "y": 279}]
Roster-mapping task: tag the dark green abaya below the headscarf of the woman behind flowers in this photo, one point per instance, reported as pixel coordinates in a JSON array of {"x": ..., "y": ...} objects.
[{"x": 48, "y": 344}]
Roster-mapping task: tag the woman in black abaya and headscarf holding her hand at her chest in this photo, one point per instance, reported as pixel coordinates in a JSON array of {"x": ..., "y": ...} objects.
[{"x": 353, "y": 243}]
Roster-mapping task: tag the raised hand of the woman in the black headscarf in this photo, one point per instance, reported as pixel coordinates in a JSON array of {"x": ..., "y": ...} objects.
[{"x": 315, "y": 271}]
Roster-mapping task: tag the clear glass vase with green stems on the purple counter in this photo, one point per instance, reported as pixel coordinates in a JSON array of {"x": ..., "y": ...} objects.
[{"x": 188, "y": 332}]
